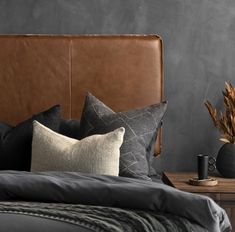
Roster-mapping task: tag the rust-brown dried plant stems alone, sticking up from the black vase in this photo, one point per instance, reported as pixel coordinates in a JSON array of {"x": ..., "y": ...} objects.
[{"x": 225, "y": 121}]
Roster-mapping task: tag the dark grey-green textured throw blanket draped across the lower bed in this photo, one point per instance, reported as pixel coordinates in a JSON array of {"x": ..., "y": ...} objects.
[{"x": 98, "y": 218}]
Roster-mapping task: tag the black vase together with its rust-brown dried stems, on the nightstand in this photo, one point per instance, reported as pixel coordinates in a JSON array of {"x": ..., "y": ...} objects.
[{"x": 225, "y": 123}]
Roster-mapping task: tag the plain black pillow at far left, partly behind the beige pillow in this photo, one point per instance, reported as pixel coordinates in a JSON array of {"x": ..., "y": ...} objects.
[{"x": 15, "y": 142}]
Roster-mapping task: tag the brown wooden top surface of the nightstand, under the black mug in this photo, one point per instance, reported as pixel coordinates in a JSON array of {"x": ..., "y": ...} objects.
[{"x": 179, "y": 180}]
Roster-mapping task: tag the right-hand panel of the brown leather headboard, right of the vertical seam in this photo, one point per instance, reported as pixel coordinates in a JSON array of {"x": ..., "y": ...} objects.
[{"x": 125, "y": 72}]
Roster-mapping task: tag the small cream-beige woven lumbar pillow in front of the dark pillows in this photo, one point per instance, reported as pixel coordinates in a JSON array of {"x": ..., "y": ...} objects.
[{"x": 97, "y": 154}]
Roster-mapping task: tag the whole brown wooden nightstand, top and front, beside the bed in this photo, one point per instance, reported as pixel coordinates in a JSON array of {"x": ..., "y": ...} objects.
[{"x": 223, "y": 193}]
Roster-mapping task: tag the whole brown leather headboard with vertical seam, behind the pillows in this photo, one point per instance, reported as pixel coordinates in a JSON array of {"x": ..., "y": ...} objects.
[{"x": 38, "y": 71}]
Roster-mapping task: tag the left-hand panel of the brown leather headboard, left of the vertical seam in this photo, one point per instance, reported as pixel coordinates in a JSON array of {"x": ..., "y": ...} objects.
[{"x": 34, "y": 75}]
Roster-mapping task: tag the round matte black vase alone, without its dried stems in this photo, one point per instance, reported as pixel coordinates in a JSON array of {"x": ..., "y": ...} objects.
[{"x": 225, "y": 161}]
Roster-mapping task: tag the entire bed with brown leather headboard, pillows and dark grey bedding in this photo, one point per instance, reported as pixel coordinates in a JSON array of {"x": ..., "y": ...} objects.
[{"x": 41, "y": 187}]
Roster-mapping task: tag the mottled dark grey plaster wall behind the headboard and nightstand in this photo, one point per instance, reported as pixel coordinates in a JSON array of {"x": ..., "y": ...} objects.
[{"x": 199, "y": 38}]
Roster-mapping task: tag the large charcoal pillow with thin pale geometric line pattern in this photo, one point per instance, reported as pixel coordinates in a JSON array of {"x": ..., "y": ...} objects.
[{"x": 140, "y": 124}]
